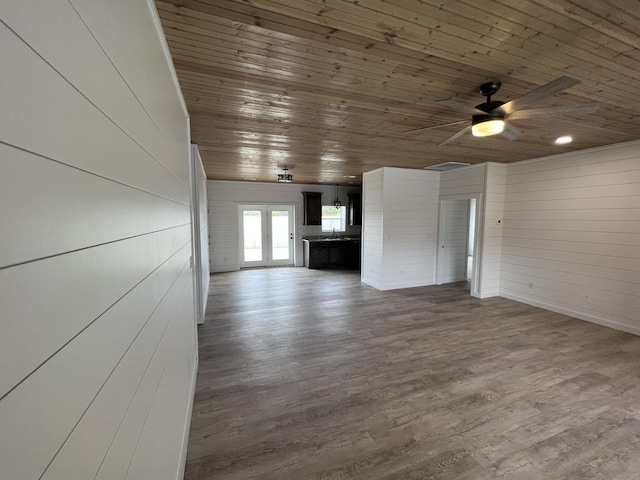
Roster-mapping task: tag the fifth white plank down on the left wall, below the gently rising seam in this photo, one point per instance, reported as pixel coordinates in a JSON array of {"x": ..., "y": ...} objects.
[{"x": 68, "y": 292}]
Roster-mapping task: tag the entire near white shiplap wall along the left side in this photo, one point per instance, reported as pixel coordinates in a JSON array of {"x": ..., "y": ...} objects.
[{"x": 97, "y": 333}]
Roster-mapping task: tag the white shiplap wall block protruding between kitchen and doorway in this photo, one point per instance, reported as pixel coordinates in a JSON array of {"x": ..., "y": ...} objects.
[{"x": 403, "y": 253}]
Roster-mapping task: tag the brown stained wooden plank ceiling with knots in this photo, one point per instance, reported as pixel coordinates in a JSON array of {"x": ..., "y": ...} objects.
[{"x": 328, "y": 88}]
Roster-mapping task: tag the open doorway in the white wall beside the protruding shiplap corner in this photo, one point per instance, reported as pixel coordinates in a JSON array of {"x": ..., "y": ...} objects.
[{"x": 458, "y": 250}]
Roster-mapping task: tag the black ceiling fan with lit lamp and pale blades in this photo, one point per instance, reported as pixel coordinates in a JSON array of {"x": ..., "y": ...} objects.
[{"x": 494, "y": 117}]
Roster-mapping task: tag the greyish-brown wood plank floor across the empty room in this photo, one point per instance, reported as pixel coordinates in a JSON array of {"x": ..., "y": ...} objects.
[{"x": 312, "y": 375}]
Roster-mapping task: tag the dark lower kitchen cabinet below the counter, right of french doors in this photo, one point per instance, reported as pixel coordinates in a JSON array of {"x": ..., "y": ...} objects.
[{"x": 332, "y": 254}]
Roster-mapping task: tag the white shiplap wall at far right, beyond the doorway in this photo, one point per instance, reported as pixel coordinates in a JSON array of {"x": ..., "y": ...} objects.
[{"x": 571, "y": 235}]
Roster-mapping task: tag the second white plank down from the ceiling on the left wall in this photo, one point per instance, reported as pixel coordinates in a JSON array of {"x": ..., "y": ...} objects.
[{"x": 87, "y": 68}]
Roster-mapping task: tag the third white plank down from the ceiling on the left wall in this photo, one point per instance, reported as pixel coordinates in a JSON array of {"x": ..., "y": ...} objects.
[{"x": 71, "y": 122}]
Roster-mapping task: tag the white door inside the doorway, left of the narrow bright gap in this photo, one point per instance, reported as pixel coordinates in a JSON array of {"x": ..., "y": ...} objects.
[{"x": 454, "y": 235}]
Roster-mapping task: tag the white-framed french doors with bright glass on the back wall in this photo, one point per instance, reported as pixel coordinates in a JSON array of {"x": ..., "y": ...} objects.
[{"x": 266, "y": 235}]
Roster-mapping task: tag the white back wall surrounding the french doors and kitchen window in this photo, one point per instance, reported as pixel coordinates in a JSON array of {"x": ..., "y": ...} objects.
[{"x": 225, "y": 197}]
